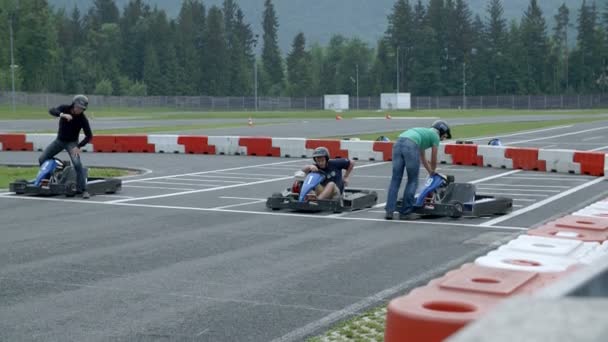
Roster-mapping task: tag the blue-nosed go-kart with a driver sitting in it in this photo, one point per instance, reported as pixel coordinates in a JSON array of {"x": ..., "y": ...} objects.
[{"x": 300, "y": 196}]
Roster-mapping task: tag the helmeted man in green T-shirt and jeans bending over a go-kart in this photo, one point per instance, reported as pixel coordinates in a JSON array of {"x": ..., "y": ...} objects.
[{"x": 408, "y": 154}]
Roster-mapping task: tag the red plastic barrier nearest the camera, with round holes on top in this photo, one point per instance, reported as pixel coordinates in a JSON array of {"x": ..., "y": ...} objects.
[{"x": 436, "y": 311}]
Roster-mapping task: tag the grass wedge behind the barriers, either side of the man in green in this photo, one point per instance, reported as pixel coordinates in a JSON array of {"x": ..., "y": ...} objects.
[{"x": 473, "y": 131}]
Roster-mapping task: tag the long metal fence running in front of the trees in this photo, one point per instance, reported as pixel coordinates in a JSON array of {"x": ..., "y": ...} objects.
[{"x": 241, "y": 103}]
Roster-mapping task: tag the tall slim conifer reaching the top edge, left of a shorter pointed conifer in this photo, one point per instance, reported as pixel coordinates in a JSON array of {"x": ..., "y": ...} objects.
[{"x": 271, "y": 56}]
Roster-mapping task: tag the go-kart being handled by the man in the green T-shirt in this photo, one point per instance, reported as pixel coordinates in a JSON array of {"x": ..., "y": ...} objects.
[{"x": 441, "y": 196}]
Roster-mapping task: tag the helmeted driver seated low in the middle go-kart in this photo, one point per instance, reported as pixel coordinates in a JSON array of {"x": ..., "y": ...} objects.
[{"x": 334, "y": 182}]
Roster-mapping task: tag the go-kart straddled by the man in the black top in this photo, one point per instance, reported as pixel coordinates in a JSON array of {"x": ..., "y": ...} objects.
[{"x": 57, "y": 177}]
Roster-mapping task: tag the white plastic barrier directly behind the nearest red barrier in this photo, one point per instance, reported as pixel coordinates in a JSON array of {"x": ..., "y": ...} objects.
[{"x": 521, "y": 261}]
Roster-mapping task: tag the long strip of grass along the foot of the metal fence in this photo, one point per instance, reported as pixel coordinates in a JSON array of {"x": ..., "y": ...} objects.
[{"x": 32, "y": 112}]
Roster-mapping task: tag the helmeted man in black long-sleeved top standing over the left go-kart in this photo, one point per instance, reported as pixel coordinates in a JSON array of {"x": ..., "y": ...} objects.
[{"x": 71, "y": 121}]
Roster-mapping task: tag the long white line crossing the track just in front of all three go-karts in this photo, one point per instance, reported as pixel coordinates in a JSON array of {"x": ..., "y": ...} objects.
[{"x": 263, "y": 213}]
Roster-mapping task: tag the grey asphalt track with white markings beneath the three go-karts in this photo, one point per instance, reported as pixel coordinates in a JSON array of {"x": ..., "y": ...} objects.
[{"x": 188, "y": 252}]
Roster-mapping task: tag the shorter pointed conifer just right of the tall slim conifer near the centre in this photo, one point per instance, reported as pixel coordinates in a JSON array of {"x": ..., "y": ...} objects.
[{"x": 299, "y": 68}]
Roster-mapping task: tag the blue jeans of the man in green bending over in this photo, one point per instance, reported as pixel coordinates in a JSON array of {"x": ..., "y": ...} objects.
[{"x": 406, "y": 155}]
